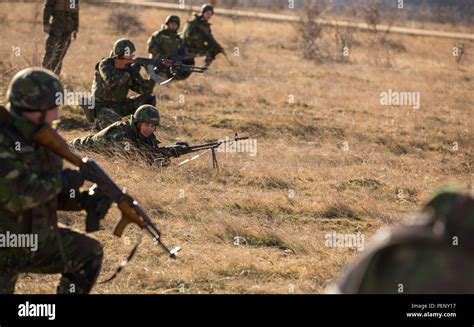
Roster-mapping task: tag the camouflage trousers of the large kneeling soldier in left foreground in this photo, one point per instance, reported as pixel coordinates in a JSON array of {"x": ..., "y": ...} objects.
[{"x": 84, "y": 260}]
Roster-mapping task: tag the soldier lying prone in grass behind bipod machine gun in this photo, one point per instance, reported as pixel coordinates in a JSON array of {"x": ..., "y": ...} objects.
[{"x": 134, "y": 135}]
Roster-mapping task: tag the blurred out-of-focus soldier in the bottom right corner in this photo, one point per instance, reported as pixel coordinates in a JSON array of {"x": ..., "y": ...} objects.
[{"x": 434, "y": 254}]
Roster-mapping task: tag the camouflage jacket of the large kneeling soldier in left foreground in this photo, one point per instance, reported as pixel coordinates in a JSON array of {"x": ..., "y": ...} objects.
[{"x": 30, "y": 181}]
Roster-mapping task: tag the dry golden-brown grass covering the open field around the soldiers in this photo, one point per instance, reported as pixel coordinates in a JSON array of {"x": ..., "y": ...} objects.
[{"x": 302, "y": 183}]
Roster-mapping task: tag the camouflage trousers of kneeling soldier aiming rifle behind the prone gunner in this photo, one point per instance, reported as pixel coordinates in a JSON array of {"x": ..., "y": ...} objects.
[{"x": 108, "y": 113}]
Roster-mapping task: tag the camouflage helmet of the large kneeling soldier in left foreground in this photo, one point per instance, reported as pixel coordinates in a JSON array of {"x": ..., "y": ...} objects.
[{"x": 35, "y": 89}]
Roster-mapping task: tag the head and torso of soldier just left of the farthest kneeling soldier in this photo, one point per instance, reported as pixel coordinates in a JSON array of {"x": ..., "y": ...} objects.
[{"x": 166, "y": 44}]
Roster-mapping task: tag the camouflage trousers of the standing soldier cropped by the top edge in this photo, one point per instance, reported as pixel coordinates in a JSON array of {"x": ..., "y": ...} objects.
[{"x": 57, "y": 44}]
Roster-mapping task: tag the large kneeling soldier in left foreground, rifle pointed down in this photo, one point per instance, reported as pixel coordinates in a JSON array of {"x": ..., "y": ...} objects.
[{"x": 33, "y": 186}]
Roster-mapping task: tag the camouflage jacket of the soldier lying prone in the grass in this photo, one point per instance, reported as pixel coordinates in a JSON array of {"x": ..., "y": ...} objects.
[{"x": 123, "y": 136}]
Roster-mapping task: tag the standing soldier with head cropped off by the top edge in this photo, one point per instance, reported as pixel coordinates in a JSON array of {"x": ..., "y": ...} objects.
[{"x": 61, "y": 22}]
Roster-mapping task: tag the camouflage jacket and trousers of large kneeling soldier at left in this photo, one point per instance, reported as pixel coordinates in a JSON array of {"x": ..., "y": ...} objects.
[{"x": 30, "y": 194}]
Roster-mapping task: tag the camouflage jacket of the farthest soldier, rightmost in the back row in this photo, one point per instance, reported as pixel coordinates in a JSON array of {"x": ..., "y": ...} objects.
[{"x": 197, "y": 35}]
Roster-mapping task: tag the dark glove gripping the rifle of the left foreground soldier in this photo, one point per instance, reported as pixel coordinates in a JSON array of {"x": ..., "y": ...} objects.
[{"x": 97, "y": 204}]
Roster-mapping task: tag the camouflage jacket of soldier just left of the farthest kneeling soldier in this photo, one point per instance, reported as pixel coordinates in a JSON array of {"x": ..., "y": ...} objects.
[{"x": 164, "y": 44}]
